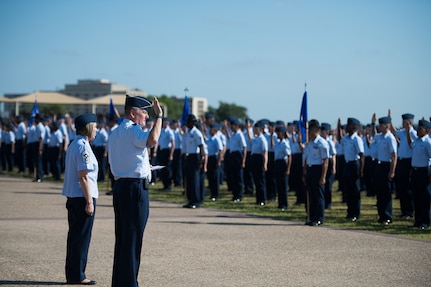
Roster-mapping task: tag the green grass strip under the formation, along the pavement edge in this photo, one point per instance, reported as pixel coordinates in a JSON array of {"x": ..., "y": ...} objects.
[{"x": 334, "y": 217}]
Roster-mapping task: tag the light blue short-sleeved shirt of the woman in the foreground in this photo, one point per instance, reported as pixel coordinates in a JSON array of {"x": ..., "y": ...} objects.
[{"x": 80, "y": 156}]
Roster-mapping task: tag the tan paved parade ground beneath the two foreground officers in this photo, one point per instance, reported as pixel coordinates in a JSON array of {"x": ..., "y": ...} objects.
[{"x": 201, "y": 247}]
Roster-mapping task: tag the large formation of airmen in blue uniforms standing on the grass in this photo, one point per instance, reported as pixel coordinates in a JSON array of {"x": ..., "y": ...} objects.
[{"x": 265, "y": 158}]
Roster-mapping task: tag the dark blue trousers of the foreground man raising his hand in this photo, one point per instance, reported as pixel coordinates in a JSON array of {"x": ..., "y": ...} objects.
[{"x": 131, "y": 207}]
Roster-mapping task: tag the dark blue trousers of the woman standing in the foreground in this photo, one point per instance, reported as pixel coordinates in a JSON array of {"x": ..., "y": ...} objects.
[{"x": 78, "y": 238}]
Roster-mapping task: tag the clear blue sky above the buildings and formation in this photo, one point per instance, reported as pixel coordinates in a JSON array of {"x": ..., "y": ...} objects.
[{"x": 357, "y": 57}]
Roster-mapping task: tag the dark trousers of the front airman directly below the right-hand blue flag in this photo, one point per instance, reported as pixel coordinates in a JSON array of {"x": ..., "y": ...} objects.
[{"x": 316, "y": 193}]
